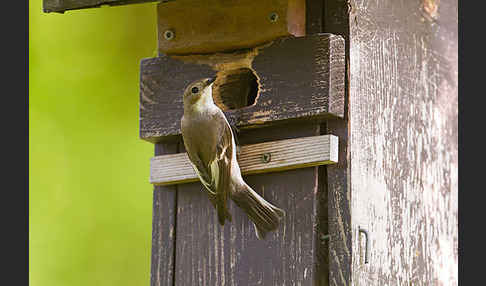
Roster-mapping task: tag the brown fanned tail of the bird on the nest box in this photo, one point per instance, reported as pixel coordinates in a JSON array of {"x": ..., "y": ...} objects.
[{"x": 264, "y": 215}]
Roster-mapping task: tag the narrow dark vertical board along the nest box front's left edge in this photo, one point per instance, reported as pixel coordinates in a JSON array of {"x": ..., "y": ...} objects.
[{"x": 163, "y": 228}]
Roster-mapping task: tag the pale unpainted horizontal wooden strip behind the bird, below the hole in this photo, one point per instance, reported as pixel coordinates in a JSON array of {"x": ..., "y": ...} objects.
[{"x": 284, "y": 155}]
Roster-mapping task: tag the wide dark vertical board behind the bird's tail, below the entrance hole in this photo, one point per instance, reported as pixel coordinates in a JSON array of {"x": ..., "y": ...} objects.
[{"x": 210, "y": 254}]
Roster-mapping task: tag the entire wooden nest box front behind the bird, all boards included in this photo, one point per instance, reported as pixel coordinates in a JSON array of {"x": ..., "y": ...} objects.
[{"x": 278, "y": 84}]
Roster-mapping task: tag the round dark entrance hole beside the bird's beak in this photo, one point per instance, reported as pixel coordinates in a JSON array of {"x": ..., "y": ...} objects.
[{"x": 235, "y": 88}]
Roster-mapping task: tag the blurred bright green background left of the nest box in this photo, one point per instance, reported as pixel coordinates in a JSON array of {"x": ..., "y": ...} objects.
[{"x": 90, "y": 202}]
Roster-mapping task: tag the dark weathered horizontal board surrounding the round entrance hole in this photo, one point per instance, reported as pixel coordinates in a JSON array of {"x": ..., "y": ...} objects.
[{"x": 299, "y": 78}]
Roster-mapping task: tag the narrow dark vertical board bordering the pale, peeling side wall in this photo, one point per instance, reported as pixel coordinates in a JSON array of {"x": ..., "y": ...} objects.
[{"x": 335, "y": 20}]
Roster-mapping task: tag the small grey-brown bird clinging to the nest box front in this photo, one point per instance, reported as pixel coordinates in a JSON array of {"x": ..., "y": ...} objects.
[{"x": 211, "y": 148}]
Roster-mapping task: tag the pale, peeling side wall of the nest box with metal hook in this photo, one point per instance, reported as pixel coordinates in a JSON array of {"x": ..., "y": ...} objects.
[{"x": 404, "y": 134}]
